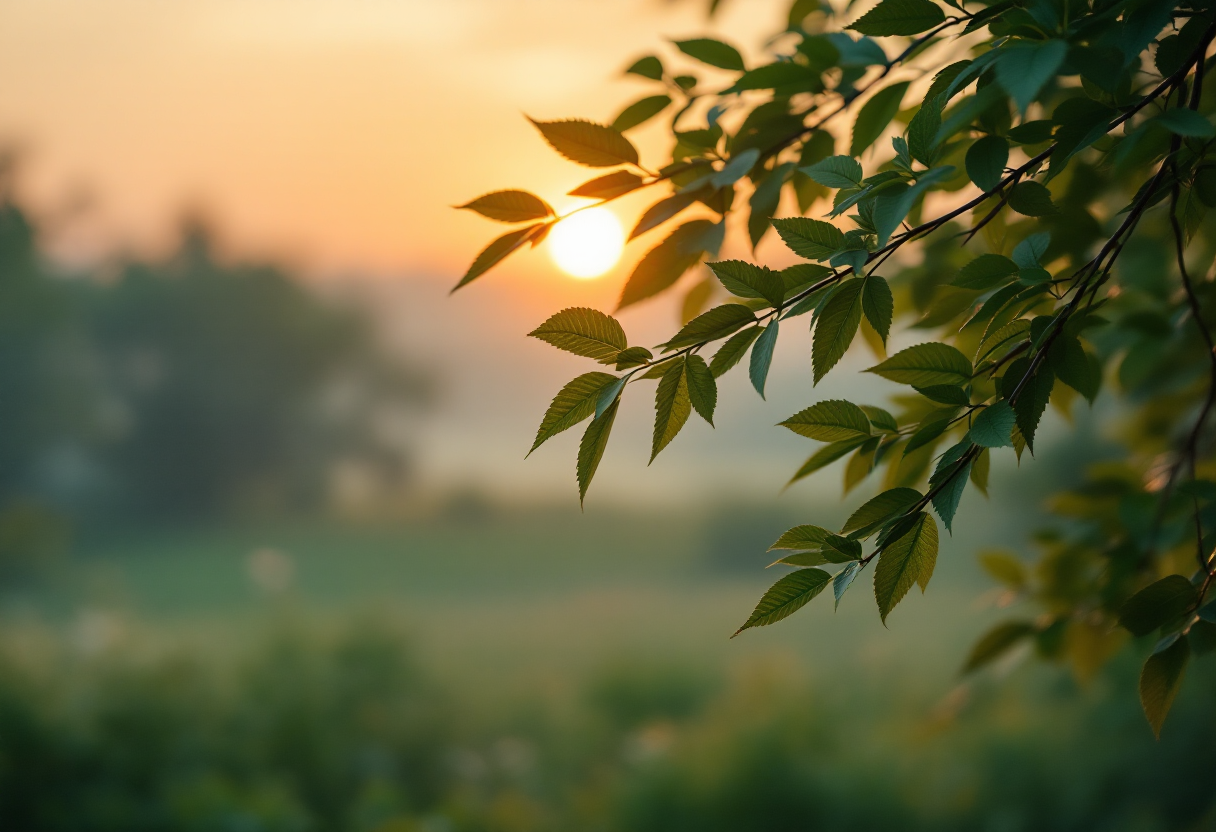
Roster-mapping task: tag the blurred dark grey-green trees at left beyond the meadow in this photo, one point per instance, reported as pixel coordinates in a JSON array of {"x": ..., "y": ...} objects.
[{"x": 179, "y": 390}]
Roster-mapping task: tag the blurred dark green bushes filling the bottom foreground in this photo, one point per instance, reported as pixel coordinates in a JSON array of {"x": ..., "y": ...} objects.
[{"x": 346, "y": 732}]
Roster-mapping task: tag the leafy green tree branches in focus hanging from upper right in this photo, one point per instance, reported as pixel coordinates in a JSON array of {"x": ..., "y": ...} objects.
[{"x": 1054, "y": 161}]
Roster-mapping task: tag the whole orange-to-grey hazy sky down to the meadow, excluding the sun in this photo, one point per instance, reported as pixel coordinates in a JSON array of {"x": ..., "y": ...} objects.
[{"x": 336, "y": 134}]
